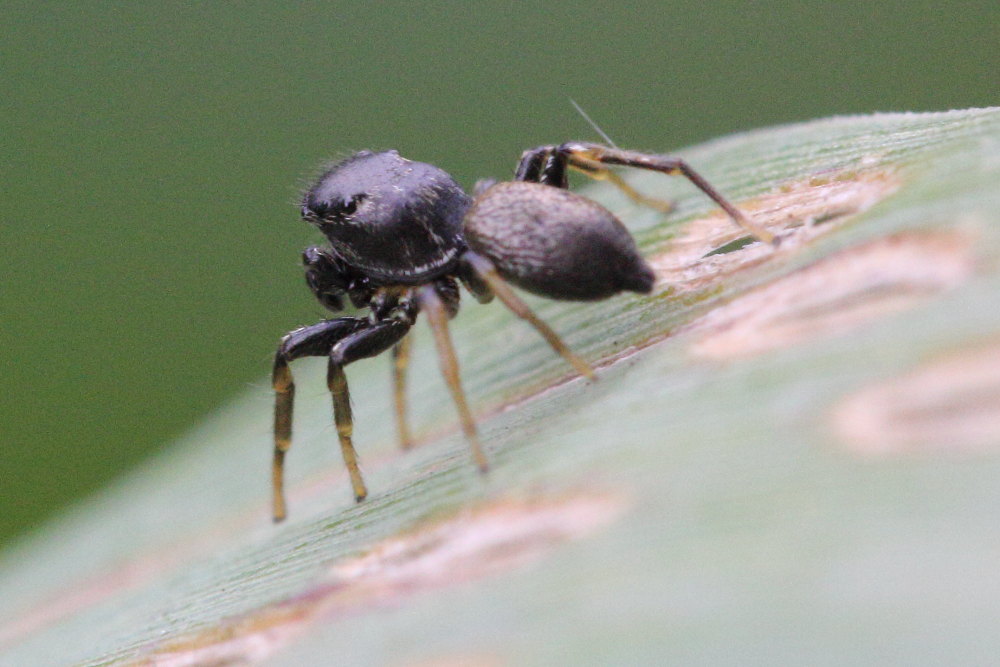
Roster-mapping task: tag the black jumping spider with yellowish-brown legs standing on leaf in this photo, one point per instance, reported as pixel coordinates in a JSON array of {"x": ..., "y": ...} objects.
[{"x": 402, "y": 236}]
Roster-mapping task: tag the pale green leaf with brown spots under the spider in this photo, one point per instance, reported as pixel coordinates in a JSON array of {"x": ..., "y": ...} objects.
[{"x": 790, "y": 455}]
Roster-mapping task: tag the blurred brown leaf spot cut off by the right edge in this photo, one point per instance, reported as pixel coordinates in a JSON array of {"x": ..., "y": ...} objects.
[{"x": 949, "y": 404}]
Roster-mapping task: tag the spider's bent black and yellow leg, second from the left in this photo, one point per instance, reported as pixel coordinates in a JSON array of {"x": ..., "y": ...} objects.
[{"x": 373, "y": 340}]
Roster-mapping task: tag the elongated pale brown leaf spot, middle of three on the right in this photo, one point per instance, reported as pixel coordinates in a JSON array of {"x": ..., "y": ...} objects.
[{"x": 837, "y": 294}]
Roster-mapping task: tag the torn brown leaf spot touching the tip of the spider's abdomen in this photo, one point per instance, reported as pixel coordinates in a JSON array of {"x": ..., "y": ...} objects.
[{"x": 712, "y": 247}]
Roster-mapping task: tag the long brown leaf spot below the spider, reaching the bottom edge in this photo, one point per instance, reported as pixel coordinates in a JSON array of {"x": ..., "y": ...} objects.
[{"x": 475, "y": 543}]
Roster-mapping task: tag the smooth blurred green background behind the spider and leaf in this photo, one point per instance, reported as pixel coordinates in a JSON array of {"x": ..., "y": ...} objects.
[{"x": 153, "y": 153}]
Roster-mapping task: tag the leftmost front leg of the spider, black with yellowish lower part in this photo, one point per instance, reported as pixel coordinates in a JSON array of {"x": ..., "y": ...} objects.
[{"x": 311, "y": 341}]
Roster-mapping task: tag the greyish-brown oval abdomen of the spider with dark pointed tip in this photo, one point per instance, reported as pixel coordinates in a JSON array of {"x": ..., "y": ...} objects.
[{"x": 555, "y": 243}]
